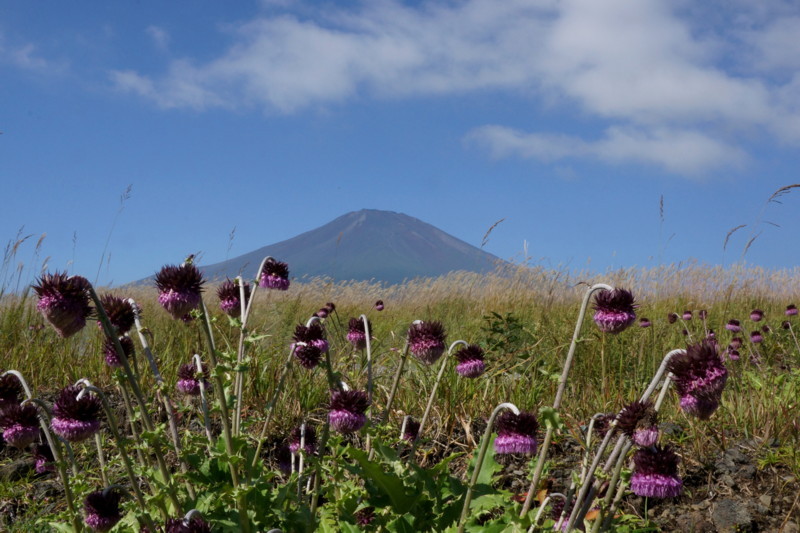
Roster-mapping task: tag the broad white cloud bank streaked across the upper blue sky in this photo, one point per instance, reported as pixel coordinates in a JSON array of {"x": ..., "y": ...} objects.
[{"x": 658, "y": 73}]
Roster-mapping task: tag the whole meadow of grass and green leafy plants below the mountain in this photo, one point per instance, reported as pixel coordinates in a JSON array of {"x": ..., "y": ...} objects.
[{"x": 523, "y": 318}]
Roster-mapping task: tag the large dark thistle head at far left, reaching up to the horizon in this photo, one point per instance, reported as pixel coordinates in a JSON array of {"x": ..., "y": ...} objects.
[{"x": 64, "y": 302}]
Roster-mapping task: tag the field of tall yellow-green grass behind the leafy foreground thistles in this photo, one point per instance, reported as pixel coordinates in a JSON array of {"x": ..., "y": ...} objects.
[{"x": 523, "y": 318}]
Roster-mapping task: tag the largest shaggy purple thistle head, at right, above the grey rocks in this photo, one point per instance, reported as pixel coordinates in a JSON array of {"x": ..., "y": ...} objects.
[{"x": 699, "y": 376}]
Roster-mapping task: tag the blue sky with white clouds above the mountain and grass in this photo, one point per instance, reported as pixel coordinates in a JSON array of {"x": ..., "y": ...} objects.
[{"x": 569, "y": 119}]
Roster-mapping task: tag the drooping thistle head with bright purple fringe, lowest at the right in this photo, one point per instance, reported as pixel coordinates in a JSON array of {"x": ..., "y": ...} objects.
[{"x": 655, "y": 473}]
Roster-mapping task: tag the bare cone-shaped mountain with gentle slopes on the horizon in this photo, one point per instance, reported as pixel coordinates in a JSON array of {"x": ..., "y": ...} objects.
[{"x": 365, "y": 245}]
